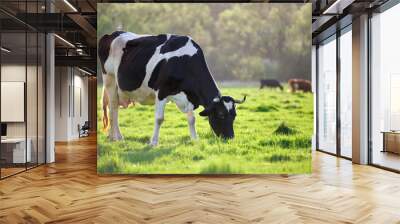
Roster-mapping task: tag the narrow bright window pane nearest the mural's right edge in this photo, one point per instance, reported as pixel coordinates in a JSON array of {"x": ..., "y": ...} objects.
[{"x": 327, "y": 96}]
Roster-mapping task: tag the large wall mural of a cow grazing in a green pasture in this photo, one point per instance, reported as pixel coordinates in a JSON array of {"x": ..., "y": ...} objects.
[{"x": 204, "y": 88}]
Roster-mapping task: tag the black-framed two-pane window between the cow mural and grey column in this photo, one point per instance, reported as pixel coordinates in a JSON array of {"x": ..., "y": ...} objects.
[{"x": 334, "y": 93}]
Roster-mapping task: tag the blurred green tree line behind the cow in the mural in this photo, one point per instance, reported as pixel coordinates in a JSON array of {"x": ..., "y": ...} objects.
[{"x": 248, "y": 41}]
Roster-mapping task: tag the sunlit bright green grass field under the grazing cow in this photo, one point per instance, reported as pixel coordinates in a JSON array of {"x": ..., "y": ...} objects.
[{"x": 273, "y": 132}]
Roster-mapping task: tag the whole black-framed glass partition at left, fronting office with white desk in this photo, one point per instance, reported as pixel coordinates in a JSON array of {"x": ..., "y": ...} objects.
[{"x": 22, "y": 101}]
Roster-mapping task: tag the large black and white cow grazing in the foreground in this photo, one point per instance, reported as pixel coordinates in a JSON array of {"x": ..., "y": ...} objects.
[{"x": 157, "y": 69}]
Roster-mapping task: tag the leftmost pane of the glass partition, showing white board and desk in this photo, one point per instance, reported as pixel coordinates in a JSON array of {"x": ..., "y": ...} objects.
[{"x": 13, "y": 94}]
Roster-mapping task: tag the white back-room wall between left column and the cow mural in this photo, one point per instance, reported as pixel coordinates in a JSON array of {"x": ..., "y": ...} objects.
[{"x": 70, "y": 83}]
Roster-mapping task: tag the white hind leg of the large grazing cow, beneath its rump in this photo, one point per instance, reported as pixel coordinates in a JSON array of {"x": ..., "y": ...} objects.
[{"x": 114, "y": 132}]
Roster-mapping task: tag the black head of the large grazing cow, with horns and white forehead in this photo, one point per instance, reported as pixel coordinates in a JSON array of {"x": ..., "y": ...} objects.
[{"x": 221, "y": 114}]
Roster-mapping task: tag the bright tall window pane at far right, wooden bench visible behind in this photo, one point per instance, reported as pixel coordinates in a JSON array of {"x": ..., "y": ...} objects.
[{"x": 386, "y": 88}]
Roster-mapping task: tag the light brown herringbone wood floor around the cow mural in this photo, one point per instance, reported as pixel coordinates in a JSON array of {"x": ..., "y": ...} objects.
[{"x": 70, "y": 191}]
